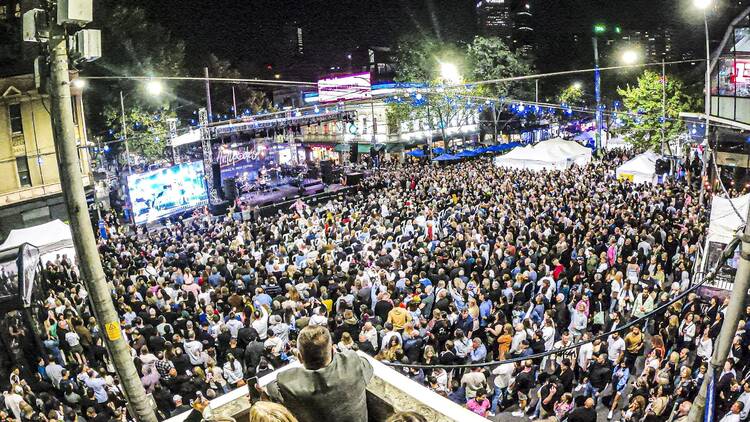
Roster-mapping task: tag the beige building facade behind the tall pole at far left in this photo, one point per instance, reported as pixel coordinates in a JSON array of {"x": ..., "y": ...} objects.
[{"x": 30, "y": 189}]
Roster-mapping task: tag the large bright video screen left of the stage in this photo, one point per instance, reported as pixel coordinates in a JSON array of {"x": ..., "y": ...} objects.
[{"x": 167, "y": 191}]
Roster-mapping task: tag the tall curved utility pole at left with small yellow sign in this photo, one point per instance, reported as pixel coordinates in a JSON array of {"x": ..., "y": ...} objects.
[{"x": 83, "y": 234}]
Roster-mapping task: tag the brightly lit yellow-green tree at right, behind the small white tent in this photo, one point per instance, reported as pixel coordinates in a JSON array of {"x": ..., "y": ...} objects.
[{"x": 643, "y": 104}]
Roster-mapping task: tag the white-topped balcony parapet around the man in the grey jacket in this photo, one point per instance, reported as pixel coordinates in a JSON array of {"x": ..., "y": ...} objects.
[{"x": 388, "y": 392}]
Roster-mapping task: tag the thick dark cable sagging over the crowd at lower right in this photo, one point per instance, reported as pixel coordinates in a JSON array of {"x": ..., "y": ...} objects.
[{"x": 726, "y": 254}]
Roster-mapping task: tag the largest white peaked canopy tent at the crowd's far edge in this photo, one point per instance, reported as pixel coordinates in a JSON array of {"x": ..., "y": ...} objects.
[{"x": 554, "y": 154}]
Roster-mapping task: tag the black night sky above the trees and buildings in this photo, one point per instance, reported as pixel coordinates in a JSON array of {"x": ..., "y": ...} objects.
[{"x": 241, "y": 30}]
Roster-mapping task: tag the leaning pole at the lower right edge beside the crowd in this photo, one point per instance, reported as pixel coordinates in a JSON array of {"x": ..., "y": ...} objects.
[{"x": 729, "y": 328}]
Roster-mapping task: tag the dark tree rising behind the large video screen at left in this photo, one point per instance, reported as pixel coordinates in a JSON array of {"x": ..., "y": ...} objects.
[{"x": 133, "y": 45}]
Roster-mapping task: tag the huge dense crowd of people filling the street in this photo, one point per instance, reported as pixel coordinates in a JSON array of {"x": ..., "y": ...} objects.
[{"x": 429, "y": 266}]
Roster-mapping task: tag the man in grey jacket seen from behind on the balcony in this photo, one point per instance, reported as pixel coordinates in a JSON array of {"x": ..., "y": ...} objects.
[{"x": 331, "y": 384}]
